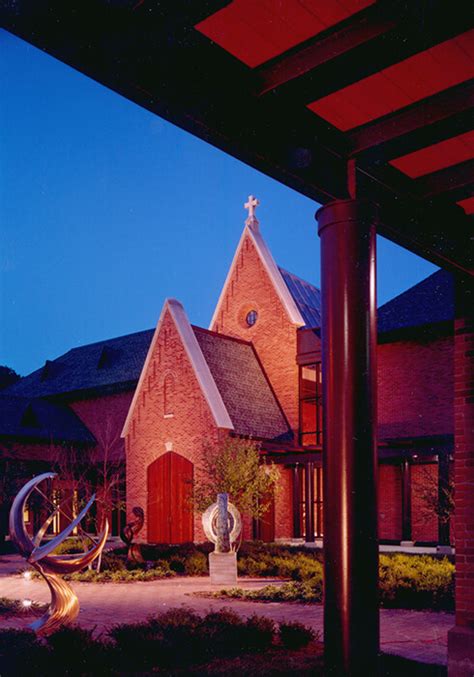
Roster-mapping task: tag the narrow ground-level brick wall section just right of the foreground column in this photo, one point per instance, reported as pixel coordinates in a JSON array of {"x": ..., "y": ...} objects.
[{"x": 390, "y": 502}]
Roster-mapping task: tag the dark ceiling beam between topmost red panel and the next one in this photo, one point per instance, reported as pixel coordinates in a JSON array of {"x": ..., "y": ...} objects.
[{"x": 415, "y": 30}]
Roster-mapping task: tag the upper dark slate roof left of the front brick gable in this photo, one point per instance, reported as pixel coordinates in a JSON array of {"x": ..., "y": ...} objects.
[{"x": 96, "y": 366}]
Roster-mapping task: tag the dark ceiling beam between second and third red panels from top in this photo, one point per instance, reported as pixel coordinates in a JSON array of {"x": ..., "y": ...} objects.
[{"x": 422, "y": 124}]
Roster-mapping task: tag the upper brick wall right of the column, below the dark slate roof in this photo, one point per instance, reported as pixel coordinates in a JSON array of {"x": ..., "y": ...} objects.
[{"x": 415, "y": 386}]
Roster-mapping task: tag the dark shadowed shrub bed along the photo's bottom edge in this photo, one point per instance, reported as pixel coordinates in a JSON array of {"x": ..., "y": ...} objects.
[{"x": 180, "y": 642}]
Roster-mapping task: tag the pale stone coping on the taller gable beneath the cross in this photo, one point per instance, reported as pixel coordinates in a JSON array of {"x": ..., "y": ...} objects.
[{"x": 274, "y": 274}]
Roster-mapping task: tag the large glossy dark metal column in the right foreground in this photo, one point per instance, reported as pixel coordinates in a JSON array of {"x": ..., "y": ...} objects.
[{"x": 348, "y": 279}]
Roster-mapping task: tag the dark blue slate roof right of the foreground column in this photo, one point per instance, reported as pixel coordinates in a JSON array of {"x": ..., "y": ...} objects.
[{"x": 428, "y": 302}]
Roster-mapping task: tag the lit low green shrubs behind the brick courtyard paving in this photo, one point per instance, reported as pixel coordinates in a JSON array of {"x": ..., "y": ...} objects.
[{"x": 406, "y": 581}]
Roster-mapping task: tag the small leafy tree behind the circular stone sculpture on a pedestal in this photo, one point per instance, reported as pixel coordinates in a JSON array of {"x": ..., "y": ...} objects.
[{"x": 234, "y": 467}]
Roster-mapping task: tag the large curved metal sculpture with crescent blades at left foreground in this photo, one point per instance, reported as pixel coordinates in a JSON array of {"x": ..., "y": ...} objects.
[{"x": 64, "y": 606}]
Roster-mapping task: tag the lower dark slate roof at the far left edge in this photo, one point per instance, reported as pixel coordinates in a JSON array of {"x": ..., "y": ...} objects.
[{"x": 41, "y": 420}]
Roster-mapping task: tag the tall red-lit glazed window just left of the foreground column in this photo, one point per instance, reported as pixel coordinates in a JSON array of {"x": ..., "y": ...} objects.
[{"x": 310, "y": 401}]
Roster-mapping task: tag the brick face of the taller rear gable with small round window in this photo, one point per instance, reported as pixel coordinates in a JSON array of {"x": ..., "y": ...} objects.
[{"x": 273, "y": 335}]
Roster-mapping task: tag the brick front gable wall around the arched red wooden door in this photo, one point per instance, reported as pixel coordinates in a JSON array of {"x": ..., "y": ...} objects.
[{"x": 185, "y": 429}]
